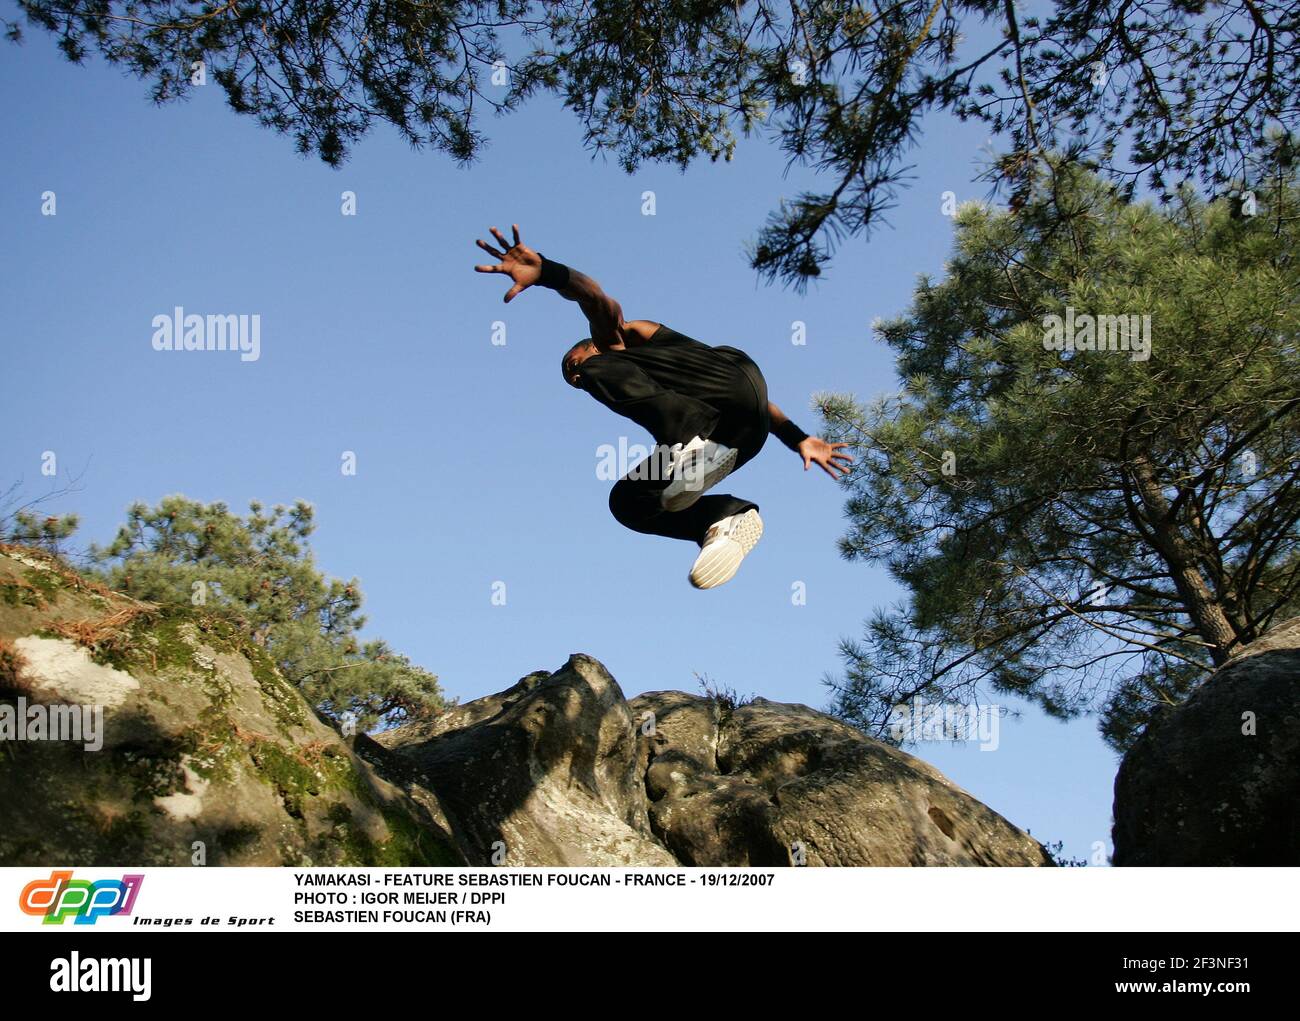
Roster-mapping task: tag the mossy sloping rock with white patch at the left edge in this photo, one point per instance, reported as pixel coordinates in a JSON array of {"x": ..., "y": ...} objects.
[{"x": 207, "y": 754}]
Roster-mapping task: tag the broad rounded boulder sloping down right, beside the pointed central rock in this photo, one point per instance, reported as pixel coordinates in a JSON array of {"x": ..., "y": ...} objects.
[{"x": 768, "y": 784}]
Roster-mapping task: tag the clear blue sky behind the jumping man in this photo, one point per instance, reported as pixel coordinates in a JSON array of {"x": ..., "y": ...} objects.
[{"x": 475, "y": 464}]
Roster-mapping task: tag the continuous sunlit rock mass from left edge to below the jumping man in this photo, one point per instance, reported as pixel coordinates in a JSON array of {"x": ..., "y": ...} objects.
[{"x": 206, "y": 750}]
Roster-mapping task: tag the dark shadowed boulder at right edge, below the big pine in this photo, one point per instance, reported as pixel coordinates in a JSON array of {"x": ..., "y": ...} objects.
[{"x": 1217, "y": 780}]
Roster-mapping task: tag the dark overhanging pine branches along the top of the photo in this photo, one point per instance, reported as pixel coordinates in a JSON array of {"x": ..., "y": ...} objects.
[{"x": 1147, "y": 90}]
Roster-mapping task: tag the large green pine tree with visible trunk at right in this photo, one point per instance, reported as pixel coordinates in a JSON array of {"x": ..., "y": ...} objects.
[{"x": 1093, "y": 530}]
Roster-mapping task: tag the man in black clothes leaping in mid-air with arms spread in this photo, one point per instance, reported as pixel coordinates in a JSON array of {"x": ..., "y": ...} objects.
[{"x": 707, "y": 409}]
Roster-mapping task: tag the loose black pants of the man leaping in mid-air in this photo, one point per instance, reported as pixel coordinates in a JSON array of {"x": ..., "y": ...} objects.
[{"x": 738, "y": 419}]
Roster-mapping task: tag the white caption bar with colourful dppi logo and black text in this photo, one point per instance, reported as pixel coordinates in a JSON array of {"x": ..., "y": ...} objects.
[{"x": 86, "y": 901}]
